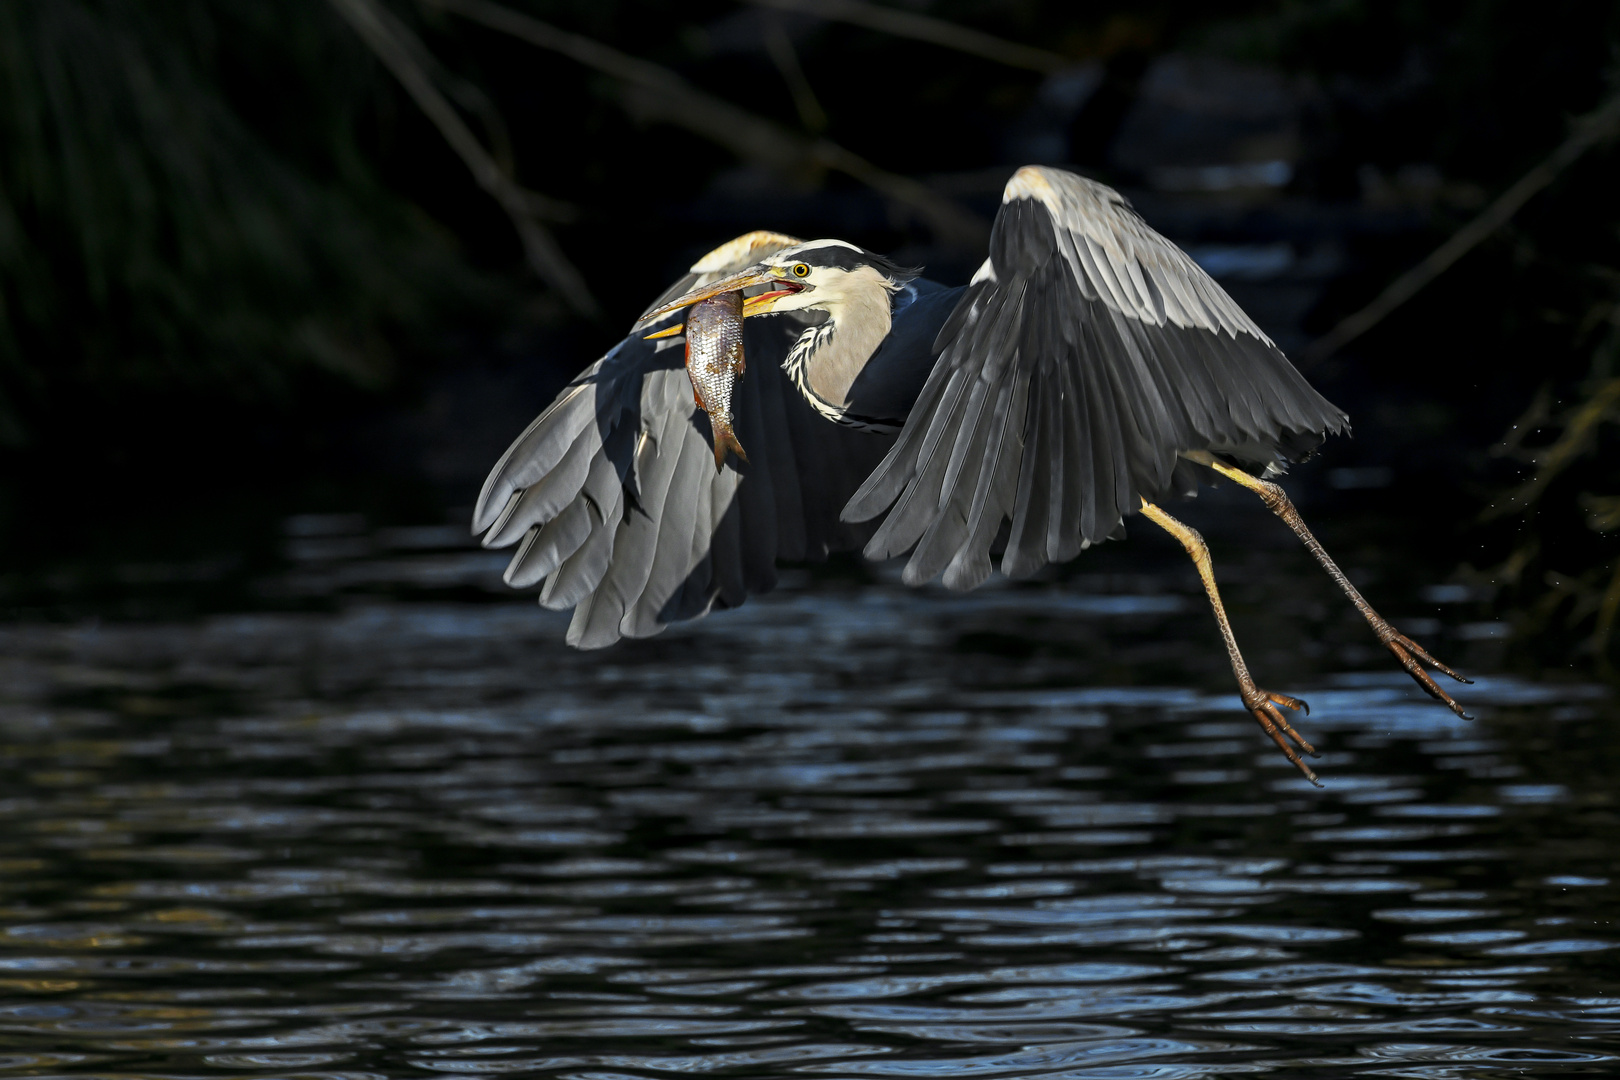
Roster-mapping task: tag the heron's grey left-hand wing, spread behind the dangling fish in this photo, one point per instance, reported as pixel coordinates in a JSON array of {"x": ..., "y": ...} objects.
[{"x": 615, "y": 501}]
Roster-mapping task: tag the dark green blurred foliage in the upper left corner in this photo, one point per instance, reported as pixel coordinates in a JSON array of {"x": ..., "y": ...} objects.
[{"x": 185, "y": 205}]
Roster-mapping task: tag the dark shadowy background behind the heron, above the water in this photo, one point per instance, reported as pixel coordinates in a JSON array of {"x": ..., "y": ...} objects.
[{"x": 249, "y": 292}]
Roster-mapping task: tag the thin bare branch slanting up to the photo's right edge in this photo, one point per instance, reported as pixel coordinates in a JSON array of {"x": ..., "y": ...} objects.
[{"x": 1588, "y": 132}]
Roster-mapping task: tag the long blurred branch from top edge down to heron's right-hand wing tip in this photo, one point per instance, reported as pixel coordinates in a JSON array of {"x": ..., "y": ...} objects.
[{"x": 659, "y": 93}]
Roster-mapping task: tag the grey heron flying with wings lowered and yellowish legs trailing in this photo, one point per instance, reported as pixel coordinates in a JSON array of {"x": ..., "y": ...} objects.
[{"x": 1088, "y": 373}]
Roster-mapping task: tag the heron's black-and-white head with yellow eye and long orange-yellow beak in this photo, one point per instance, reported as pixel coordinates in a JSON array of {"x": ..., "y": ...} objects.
[{"x": 817, "y": 276}]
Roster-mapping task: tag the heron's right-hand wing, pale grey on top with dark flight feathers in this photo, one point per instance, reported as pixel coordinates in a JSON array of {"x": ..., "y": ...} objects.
[{"x": 1085, "y": 357}]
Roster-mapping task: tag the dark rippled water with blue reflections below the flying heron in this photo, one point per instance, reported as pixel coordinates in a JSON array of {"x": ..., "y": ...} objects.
[{"x": 842, "y": 833}]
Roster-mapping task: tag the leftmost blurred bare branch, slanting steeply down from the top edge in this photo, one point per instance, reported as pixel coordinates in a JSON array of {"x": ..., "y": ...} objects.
[{"x": 399, "y": 53}]
